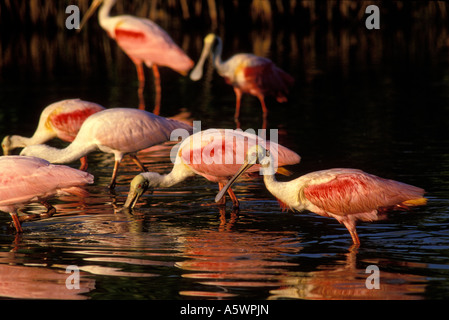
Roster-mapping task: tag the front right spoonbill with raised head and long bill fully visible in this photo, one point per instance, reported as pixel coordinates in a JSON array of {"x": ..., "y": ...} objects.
[{"x": 347, "y": 195}]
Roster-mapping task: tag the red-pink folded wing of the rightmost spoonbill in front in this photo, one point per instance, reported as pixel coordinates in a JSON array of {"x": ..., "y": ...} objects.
[{"x": 349, "y": 191}]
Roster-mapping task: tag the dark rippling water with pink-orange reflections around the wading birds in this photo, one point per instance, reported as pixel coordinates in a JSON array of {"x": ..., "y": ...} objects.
[{"x": 374, "y": 101}]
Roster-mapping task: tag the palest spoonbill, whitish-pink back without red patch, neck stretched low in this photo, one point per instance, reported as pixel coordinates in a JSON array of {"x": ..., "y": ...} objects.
[{"x": 118, "y": 131}]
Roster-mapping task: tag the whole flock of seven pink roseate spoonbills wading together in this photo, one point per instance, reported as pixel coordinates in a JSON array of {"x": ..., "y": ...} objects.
[{"x": 39, "y": 173}]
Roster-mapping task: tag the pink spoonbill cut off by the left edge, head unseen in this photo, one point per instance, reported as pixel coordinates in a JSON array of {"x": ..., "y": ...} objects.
[{"x": 28, "y": 179}]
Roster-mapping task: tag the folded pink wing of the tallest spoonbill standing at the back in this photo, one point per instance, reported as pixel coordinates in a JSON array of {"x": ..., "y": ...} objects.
[{"x": 144, "y": 41}]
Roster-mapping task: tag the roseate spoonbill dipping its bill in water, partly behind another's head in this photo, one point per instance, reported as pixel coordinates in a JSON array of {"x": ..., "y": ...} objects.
[{"x": 215, "y": 154}]
